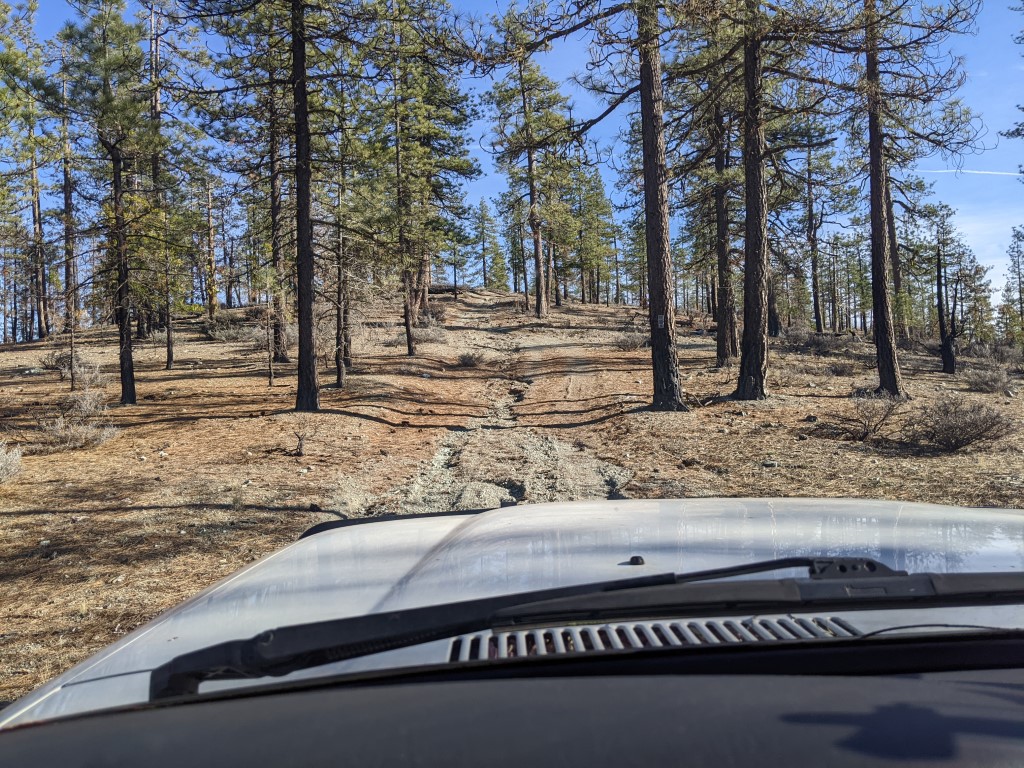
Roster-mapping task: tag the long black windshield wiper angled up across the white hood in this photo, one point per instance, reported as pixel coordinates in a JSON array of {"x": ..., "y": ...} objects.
[{"x": 287, "y": 650}]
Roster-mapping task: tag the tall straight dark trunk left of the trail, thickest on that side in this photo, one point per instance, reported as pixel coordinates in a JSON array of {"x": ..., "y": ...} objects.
[{"x": 308, "y": 397}]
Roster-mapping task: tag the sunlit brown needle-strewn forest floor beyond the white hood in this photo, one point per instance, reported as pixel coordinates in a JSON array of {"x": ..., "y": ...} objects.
[{"x": 202, "y": 477}]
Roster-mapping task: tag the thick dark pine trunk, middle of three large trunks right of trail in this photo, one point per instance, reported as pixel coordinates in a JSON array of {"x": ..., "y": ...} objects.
[{"x": 754, "y": 354}]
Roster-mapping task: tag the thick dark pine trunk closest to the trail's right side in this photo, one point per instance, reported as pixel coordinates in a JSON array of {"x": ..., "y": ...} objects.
[{"x": 668, "y": 394}]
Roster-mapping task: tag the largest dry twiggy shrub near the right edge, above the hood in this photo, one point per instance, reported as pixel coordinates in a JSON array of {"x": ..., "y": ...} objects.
[{"x": 955, "y": 423}]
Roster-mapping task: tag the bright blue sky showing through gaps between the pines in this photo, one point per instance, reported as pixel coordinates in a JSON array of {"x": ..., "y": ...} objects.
[{"x": 988, "y": 195}]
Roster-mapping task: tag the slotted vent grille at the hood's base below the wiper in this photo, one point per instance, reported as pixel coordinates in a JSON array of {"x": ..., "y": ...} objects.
[{"x": 635, "y": 635}]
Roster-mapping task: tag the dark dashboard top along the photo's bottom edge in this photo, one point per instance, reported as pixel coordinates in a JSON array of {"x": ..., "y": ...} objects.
[{"x": 973, "y": 718}]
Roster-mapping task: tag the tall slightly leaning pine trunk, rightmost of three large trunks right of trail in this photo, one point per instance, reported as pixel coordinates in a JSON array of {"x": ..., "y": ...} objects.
[{"x": 890, "y": 380}]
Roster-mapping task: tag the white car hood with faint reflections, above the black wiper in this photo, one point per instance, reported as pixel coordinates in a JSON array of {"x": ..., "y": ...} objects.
[{"x": 379, "y": 567}]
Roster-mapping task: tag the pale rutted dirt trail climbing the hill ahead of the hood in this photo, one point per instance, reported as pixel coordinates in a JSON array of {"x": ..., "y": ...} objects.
[{"x": 497, "y": 459}]
